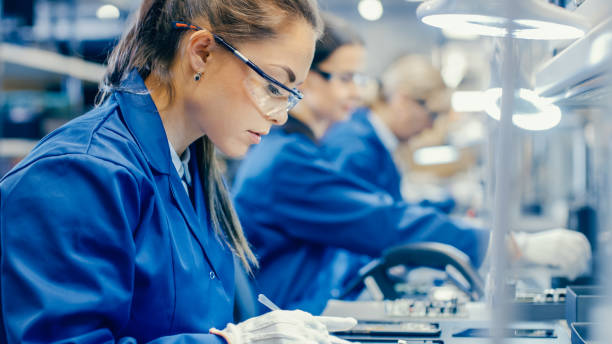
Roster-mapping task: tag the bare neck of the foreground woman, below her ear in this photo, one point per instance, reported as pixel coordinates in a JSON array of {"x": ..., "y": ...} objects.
[{"x": 178, "y": 128}]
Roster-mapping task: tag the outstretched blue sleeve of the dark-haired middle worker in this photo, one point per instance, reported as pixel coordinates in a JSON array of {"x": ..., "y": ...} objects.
[{"x": 312, "y": 201}]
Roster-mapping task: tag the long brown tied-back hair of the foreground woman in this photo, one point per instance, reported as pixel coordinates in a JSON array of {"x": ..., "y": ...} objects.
[{"x": 150, "y": 45}]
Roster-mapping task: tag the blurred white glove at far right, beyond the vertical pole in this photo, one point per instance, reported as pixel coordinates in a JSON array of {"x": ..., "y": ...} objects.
[{"x": 563, "y": 248}]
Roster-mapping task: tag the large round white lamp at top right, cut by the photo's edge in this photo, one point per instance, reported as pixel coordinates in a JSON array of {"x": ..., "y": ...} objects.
[{"x": 532, "y": 19}]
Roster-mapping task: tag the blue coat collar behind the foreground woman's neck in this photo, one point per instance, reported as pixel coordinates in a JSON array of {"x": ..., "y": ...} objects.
[{"x": 143, "y": 121}]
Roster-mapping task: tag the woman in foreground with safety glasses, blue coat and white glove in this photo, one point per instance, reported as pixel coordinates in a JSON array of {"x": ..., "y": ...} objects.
[{"x": 117, "y": 227}]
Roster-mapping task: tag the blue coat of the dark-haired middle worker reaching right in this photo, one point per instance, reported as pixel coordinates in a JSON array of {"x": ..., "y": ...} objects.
[{"x": 312, "y": 227}]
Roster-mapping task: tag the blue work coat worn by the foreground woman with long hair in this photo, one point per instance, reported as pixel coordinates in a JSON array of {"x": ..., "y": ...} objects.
[{"x": 100, "y": 243}]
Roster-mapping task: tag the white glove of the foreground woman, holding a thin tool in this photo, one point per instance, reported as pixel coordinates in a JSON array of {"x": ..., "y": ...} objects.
[{"x": 280, "y": 327}]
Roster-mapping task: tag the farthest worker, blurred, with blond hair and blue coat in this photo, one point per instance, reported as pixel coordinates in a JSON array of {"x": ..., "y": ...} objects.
[{"x": 364, "y": 145}]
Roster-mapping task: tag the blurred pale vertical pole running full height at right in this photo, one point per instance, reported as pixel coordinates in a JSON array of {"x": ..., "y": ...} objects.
[{"x": 503, "y": 180}]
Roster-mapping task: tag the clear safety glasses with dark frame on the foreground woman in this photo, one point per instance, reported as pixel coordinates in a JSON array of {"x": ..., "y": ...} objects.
[{"x": 272, "y": 97}]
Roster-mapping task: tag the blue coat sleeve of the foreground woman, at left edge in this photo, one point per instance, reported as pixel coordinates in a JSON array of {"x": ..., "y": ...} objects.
[{"x": 67, "y": 268}]
